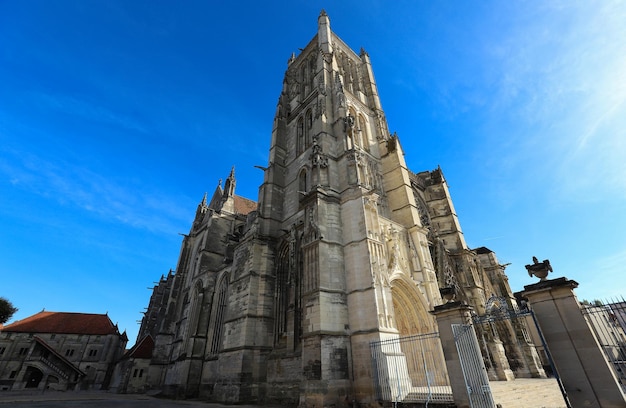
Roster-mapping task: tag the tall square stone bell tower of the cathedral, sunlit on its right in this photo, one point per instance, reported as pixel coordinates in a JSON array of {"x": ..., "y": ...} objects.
[{"x": 337, "y": 199}]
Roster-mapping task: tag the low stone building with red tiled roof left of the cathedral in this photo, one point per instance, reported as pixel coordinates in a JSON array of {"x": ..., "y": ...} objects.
[{"x": 59, "y": 351}]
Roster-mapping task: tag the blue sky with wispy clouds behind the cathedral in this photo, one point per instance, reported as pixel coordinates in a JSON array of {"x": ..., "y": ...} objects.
[{"x": 117, "y": 116}]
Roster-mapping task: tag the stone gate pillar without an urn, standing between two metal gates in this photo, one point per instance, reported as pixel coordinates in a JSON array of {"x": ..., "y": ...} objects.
[{"x": 448, "y": 314}]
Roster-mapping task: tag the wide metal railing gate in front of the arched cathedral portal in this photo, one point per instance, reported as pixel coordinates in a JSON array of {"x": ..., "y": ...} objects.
[{"x": 410, "y": 369}]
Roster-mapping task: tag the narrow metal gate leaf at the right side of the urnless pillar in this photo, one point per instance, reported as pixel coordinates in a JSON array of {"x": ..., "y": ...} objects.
[{"x": 473, "y": 367}]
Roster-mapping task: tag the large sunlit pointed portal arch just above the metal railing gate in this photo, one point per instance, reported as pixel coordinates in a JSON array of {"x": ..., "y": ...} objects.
[{"x": 410, "y": 308}]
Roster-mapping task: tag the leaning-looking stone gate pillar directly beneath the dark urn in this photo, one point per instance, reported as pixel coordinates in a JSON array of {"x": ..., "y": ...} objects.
[{"x": 584, "y": 371}]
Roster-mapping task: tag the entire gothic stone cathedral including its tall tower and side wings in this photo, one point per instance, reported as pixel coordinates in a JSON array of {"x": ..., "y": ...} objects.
[{"x": 278, "y": 300}]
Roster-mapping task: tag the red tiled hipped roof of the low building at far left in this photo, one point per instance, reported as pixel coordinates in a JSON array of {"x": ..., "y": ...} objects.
[{"x": 63, "y": 322}]
